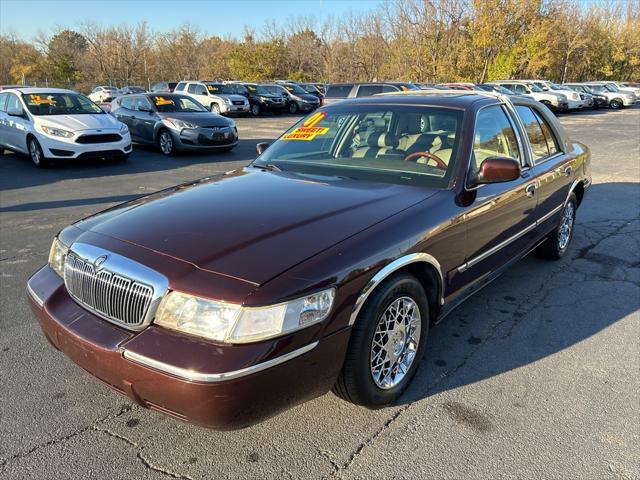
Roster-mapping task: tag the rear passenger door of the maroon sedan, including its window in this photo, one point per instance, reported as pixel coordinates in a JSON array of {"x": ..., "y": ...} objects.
[{"x": 553, "y": 168}]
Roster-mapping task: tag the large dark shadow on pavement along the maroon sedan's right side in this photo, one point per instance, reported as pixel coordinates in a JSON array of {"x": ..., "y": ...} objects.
[{"x": 540, "y": 308}]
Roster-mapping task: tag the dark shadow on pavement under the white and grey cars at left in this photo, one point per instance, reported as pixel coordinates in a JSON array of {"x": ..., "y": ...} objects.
[{"x": 17, "y": 171}]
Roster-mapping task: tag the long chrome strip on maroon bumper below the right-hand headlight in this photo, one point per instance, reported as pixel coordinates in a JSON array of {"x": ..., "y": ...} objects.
[{"x": 193, "y": 376}]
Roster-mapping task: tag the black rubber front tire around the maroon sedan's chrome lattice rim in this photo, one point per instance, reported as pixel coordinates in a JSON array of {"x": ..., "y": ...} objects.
[{"x": 355, "y": 383}]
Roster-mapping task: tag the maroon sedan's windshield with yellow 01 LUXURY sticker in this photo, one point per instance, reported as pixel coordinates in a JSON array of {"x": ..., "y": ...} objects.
[{"x": 395, "y": 144}]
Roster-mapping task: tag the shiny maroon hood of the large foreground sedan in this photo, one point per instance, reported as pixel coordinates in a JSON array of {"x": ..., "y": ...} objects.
[{"x": 252, "y": 224}]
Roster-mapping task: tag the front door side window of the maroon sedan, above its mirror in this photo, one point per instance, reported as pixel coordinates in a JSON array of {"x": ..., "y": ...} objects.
[{"x": 494, "y": 136}]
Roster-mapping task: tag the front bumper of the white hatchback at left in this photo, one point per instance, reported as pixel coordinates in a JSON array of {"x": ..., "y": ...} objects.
[{"x": 68, "y": 148}]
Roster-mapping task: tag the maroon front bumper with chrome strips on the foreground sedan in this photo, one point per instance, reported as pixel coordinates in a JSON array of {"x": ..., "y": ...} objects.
[{"x": 223, "y": 387}]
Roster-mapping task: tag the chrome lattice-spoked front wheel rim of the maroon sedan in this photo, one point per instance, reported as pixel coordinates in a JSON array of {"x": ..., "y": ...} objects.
[{"x": 395, "y": 342}]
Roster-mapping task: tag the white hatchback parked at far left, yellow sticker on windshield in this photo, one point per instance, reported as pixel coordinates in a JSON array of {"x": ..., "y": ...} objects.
[{"x": 51, "y": 123}]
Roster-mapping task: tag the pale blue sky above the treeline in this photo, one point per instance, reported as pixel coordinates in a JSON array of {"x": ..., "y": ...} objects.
[{"x": 26, "y": 18}]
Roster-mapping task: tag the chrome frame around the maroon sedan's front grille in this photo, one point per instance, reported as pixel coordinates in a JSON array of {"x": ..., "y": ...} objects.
[{"x": 124, "y": 267}]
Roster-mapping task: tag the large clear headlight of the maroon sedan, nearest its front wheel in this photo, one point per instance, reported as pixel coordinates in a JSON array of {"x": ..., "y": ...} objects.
[{"x": 232, "y": 323}]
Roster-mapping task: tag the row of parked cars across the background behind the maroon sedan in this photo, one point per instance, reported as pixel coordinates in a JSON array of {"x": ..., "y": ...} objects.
[{"x": 53, "y": 124}]
